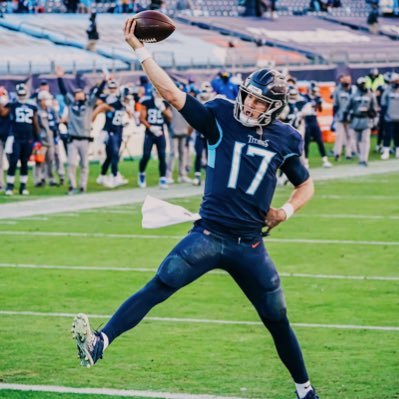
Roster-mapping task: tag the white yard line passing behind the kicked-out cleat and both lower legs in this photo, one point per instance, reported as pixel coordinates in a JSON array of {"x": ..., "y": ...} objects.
[{"x": 203, "y": 321}]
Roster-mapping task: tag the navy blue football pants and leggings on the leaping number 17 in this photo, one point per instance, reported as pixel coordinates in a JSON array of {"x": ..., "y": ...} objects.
[{"x": 250, "y": 266}]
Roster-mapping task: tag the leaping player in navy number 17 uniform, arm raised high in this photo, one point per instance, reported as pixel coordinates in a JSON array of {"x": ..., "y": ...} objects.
[{"x": 247, "y": 145}]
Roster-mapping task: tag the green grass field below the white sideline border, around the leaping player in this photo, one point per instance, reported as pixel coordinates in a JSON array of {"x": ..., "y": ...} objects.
[{"x": 349, "y": 230}]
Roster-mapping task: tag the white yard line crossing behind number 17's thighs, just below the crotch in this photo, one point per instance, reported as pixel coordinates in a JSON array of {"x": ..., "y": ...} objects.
[{"x": 221, "y": 272}]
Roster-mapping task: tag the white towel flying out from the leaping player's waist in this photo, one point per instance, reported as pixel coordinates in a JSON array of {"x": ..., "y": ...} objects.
[{"x": 158, "y": 213}]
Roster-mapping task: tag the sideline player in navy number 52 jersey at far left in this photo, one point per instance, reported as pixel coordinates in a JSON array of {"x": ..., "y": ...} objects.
[{"x": 24, "y": 131}]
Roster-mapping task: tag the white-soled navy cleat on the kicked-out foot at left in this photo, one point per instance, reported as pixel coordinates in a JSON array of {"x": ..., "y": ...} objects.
[{"x": 90, "y": 343}]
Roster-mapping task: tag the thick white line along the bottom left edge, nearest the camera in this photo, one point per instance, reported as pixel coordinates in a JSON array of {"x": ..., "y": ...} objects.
[{"x": 109, "y": 392}]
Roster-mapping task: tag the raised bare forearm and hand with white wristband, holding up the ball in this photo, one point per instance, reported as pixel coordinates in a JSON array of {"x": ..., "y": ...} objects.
[{"x": 158, "y": 77}]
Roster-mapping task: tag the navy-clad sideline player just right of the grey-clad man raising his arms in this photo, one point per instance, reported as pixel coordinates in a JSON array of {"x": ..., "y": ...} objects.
[{"x": 115, "y": 109}]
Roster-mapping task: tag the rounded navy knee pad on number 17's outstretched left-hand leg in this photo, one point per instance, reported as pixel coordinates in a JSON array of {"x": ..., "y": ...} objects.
[{"x": 174, "y": 271}]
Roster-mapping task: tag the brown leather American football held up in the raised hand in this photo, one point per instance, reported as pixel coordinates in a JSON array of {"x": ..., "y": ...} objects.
[{"x": 153, "y": 26}]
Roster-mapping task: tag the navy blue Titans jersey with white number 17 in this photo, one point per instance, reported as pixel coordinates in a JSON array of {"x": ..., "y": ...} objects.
[{"x": 242, "y": 166}]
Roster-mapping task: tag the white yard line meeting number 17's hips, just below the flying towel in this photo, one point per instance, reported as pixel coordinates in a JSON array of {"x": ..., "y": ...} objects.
[{"x": 176, "y": 237}]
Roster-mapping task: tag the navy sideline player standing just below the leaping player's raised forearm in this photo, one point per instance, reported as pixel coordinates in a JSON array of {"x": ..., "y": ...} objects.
[{"x": 154, "y": 112}]
